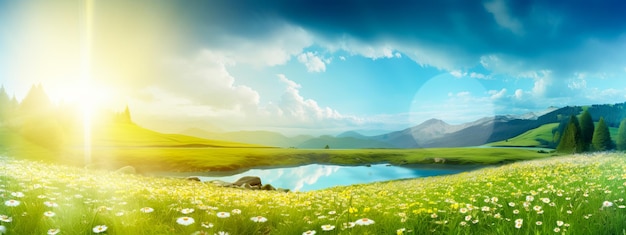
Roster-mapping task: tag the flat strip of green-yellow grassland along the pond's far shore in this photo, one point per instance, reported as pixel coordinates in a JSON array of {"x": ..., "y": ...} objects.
[{"x": 227, "y": 159}]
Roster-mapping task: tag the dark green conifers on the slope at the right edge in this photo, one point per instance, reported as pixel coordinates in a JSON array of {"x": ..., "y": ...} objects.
[{"x": 579, "y": 134}]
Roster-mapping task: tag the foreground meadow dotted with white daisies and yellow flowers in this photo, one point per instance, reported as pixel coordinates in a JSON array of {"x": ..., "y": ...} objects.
[{"x": 581, "y": 194}]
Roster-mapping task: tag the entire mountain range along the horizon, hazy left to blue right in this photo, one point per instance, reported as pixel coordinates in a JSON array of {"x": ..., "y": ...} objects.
[{"x": 429, "y": 134}]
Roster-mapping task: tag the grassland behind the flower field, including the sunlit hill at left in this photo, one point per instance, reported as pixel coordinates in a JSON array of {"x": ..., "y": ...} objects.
[{"x": 119, "y": 145}]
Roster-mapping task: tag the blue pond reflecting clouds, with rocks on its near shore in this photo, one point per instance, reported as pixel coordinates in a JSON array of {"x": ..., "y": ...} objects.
[{"x": 315, "y": 176}]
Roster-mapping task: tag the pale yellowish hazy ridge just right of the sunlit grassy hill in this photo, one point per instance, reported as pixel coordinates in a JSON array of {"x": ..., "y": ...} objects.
[{"x": 266, "y": 138}]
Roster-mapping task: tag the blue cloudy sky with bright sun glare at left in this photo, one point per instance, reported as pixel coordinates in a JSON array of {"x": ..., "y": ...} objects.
[{"x": 315, "y": 67}]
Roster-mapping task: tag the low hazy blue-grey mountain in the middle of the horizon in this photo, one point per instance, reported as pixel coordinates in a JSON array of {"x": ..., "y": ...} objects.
[{"x": 343, "y": 143}]
